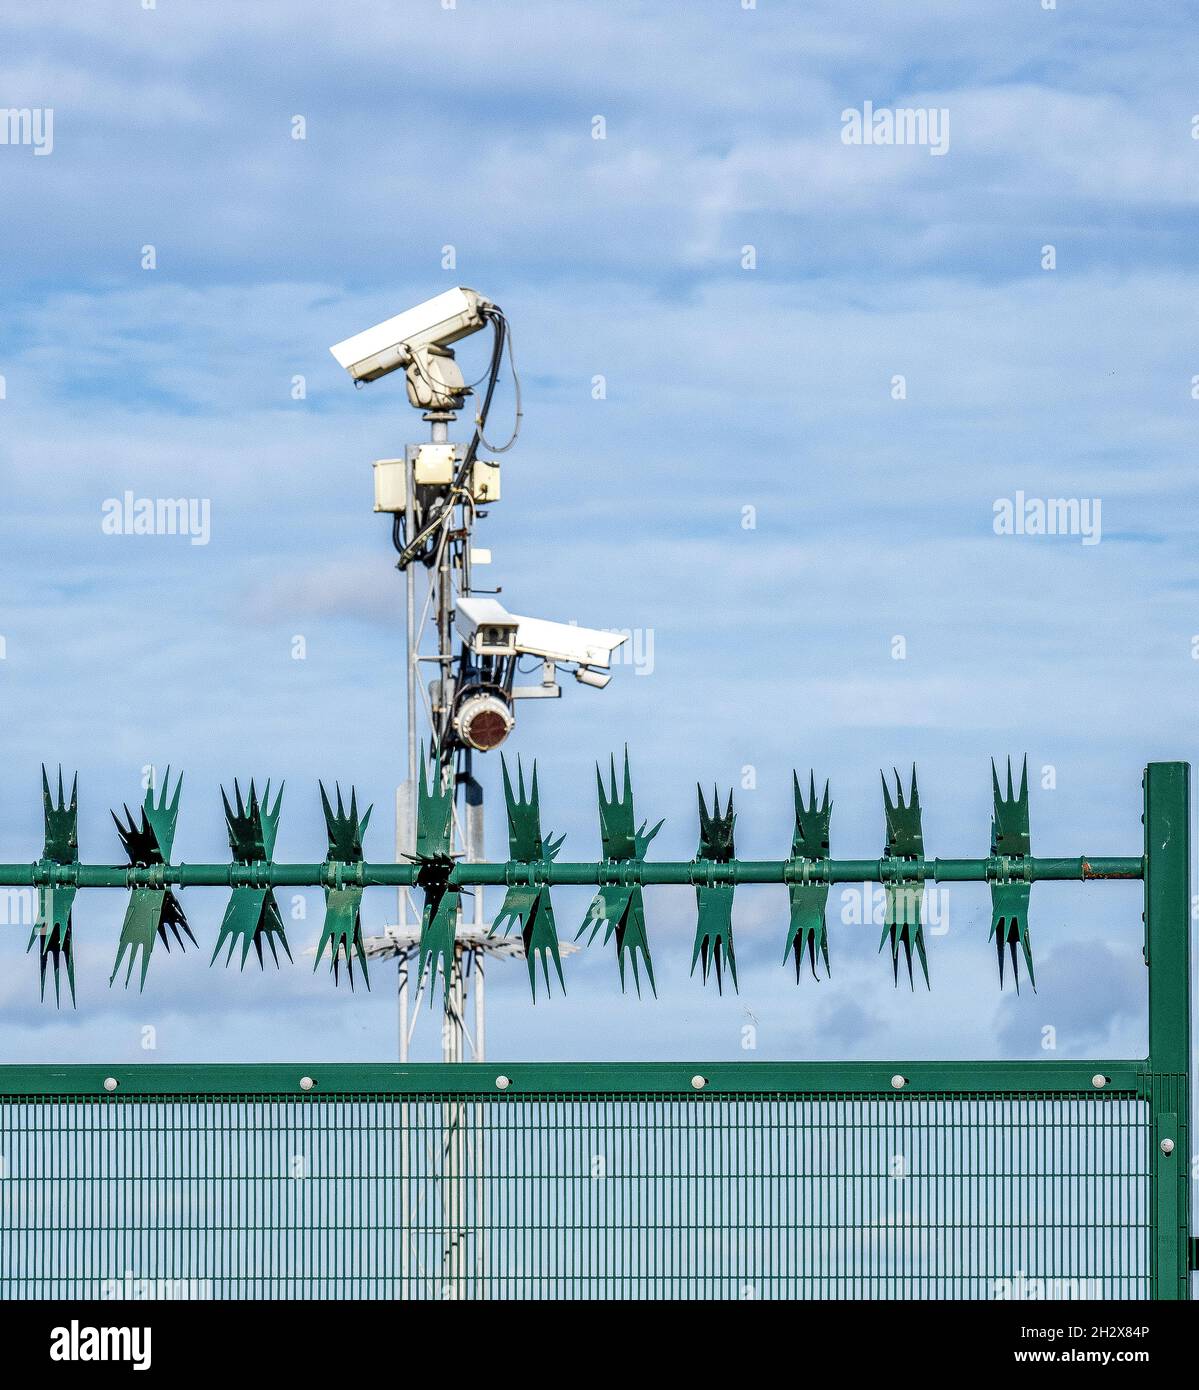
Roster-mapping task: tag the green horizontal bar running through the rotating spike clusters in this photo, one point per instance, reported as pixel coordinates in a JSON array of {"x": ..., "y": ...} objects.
[{"x": 702, "y": 872}]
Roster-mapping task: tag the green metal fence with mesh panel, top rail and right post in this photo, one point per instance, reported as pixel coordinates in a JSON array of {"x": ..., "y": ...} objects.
[{"x": 544, "y": 1181}]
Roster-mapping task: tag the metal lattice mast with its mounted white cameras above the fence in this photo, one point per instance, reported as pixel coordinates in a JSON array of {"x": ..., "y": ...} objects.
[{"x": 434, "y": 496}]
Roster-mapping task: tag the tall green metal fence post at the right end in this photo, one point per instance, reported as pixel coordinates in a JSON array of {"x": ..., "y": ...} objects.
[{"x": 1168, "y": 956}]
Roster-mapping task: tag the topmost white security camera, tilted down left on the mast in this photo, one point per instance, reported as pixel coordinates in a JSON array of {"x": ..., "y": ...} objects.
[{"x": 420, "y": 343}]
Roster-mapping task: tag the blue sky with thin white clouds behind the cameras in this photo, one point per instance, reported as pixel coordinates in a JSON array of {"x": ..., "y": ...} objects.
[{"x": 727, "y": 389}]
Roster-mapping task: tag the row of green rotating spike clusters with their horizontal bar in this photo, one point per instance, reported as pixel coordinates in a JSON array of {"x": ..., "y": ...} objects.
[{"x": 618, "y": 915}]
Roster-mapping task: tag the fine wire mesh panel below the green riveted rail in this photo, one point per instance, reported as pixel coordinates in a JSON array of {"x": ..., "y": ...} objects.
[{"x": 574, "y": 1196}]
